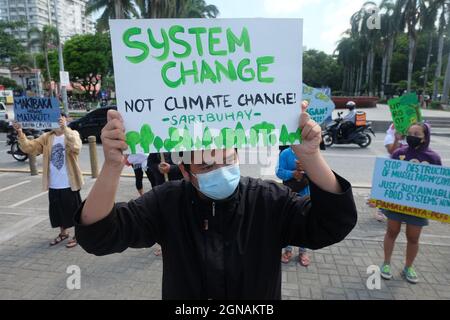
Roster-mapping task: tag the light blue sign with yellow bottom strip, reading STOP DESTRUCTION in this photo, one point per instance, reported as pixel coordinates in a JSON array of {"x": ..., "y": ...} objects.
[{"x": 411, "y": 188}]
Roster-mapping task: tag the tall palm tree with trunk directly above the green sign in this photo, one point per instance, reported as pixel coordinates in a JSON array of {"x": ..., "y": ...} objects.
[{"x": 409, "y": 12}]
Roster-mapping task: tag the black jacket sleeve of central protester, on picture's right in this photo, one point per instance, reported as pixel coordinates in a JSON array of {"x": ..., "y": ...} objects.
[{"x": 320, "y": 220}]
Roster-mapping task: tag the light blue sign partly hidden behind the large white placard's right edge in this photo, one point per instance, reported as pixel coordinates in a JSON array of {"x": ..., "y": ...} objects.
[{"x": 320, "y": 107}]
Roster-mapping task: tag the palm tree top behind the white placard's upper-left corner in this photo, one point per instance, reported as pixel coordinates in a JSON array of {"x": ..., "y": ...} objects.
[{"x": 112, "y": 9}]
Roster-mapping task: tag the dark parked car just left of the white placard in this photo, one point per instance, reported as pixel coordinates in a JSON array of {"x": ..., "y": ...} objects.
[{"x": 92, "y": 123}]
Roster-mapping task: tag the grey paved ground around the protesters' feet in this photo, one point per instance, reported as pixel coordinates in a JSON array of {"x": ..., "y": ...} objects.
[{"x": 30, "y": 269}]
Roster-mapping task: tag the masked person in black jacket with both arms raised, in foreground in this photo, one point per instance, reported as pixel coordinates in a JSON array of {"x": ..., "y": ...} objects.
[{"x": 221, "y": 234}]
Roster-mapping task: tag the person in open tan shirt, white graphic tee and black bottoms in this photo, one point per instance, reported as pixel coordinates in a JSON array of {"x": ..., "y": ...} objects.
[{"x": 61, "y": 174}]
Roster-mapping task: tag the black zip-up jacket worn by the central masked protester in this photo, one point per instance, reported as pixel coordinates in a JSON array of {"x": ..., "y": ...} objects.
[{"x": 228, "y": 249}]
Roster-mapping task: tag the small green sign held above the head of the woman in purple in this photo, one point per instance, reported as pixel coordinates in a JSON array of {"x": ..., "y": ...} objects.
[{"x": 405, "y": 111}]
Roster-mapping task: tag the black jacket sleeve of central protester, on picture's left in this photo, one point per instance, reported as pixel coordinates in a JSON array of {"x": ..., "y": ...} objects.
[{"x": 136, "y": 224}]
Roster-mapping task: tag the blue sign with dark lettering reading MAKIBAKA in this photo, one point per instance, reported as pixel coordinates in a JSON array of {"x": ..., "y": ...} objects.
[{"x": 37, "y": 113}]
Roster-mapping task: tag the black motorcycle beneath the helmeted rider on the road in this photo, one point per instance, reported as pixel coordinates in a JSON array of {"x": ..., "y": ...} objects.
[{"x": 359, "y": 135}]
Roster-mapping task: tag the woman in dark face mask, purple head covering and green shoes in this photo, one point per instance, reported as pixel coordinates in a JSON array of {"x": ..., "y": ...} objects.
[{"x": 418, "y": 151}]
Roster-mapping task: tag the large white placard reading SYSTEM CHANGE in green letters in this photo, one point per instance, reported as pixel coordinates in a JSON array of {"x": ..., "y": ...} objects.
[{"x": 199, "y": 84}]
